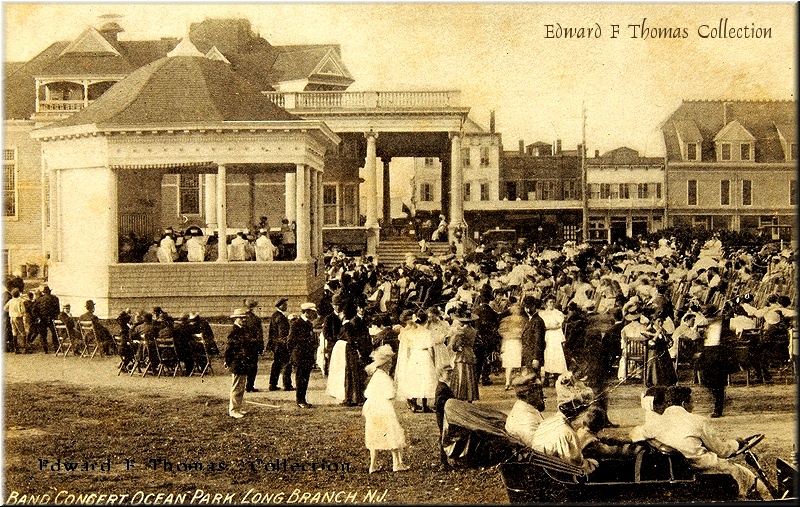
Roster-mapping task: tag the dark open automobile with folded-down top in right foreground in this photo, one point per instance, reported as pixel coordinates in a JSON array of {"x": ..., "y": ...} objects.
[{"x": 474, "y": 436}]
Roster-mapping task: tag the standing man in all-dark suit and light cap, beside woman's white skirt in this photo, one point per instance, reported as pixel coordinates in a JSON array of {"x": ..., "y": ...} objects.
[{"x": 303, "y": 344}]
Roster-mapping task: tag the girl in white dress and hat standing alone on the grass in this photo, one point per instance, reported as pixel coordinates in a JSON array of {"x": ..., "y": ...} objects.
[{"x": 382, "y": 430}]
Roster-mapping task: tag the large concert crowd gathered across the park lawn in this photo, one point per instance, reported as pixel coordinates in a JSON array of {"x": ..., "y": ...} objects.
[{"x": 539, "y": 316}]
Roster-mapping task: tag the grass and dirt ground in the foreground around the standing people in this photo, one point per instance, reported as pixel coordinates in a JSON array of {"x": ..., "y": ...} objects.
[{"x": 142, "y": 437}]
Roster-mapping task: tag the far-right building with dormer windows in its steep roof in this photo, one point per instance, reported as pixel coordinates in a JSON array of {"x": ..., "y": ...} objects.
[{"x": 732, "y": 164}]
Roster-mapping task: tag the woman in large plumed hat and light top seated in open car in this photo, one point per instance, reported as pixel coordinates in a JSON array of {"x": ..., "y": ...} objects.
[{"x": 557, "y": 435}]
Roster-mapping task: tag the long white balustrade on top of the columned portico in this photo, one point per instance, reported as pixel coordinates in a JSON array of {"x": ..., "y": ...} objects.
[{"x": 366, "y": 100}]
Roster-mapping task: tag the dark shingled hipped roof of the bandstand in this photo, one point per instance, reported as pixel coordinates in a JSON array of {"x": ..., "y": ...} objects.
[{"x": 178, "y": 90}]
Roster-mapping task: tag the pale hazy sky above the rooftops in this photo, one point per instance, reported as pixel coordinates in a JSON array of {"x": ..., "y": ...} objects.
[{"x": 502, "y": 57}]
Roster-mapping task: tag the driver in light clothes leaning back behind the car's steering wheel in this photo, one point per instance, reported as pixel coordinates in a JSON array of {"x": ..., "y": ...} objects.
[{"x": 694, "y": 437}]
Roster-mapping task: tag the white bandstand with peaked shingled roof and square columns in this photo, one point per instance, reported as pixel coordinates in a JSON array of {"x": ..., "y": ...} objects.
[{"x": 181, "y": 114}]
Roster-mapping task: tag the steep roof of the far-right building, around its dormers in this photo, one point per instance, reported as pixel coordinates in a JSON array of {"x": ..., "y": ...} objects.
[{"x": 759, "y": 118}]
